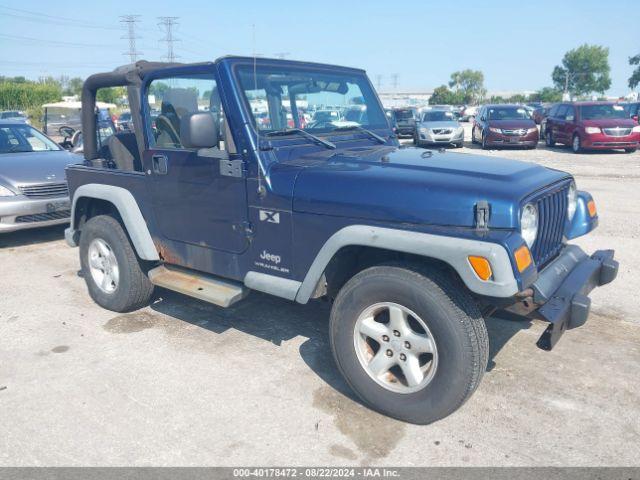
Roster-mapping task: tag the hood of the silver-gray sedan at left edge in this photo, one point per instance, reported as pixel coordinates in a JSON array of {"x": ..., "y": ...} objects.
[{"x": 28, "y": 168}]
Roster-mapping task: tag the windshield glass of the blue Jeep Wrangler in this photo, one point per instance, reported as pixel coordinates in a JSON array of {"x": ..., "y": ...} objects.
[{"x": 316, "y": 101}]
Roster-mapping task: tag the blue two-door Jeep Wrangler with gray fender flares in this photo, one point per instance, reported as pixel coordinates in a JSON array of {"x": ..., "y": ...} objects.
[{"x": 227, "y": 184}]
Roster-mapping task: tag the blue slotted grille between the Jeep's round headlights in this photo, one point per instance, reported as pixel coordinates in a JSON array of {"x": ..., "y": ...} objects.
[{"x": 552, "y": 214}]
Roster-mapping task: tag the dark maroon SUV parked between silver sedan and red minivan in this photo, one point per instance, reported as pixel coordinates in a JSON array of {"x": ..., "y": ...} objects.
[{"x": 504, "y": 126}]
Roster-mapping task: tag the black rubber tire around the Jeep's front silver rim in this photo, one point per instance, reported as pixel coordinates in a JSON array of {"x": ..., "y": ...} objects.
[{"x": 453, "y": 320}]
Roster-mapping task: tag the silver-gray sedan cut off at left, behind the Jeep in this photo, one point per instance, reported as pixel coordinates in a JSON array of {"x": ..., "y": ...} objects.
[{"x": 33, "y": 186}]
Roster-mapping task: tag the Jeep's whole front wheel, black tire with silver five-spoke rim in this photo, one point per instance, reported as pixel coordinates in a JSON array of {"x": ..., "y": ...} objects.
[{"x": 412, "y": 345}]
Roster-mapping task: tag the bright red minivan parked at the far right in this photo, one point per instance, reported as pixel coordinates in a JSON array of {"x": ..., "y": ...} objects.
[{"x": 591, "y": 125}]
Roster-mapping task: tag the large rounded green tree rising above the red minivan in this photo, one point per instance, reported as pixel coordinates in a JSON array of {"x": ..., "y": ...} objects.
[{"x": 584, "y": 70}]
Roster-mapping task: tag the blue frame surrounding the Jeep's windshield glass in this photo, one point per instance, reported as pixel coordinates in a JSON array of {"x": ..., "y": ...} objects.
[{"x": 360, "y": 78}]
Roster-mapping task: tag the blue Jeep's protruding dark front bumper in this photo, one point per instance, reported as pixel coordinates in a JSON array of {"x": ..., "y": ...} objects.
[{"x": 562, "y": 288}]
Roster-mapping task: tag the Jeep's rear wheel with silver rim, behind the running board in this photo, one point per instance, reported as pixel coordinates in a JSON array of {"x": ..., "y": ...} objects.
[{"x": 104, "y": 239}]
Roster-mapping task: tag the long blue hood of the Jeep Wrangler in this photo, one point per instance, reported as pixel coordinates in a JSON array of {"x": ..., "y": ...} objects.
[{"x": 417, "y": 186}]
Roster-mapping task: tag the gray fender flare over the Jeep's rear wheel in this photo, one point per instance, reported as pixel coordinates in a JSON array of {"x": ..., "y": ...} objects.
[{"x": 128, "y": 209}]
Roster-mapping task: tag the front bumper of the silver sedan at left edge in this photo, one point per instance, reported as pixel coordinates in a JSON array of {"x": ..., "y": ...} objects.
[{"x": 20, "y": 212}]
